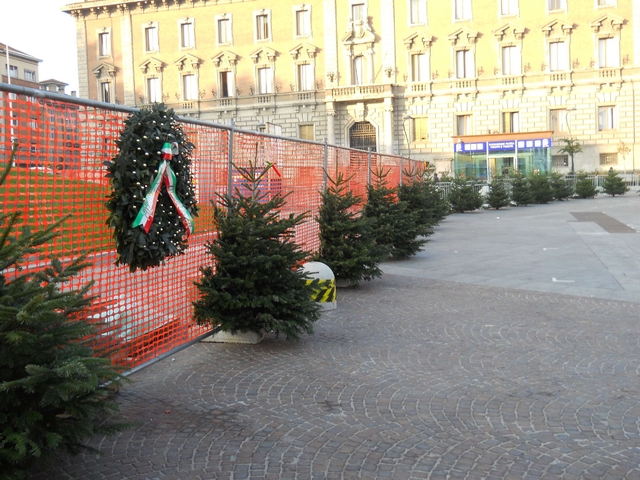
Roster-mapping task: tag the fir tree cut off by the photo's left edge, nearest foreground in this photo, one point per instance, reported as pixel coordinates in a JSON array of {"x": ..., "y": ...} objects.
[{"x": 53, "y": 391}]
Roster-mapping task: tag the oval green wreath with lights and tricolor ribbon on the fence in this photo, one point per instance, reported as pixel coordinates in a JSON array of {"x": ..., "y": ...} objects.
[{"x": 152, "y": 201}]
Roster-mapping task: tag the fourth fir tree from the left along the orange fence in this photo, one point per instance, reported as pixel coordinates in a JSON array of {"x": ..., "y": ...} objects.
[{"x": 397, "y": 227}]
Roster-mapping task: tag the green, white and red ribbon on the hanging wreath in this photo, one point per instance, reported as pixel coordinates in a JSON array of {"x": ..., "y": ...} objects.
[{"x": 168, "y": 178}]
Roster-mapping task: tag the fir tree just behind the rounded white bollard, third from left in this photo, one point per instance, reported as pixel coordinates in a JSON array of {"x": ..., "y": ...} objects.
[{"x": 347, "y": 241}]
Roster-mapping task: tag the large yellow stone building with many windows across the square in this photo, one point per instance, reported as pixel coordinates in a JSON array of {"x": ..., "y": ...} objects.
[{"x": 472, "y": 85}]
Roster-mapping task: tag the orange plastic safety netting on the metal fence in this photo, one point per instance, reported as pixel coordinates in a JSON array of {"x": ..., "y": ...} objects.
[{"x": 58, "y": 172}]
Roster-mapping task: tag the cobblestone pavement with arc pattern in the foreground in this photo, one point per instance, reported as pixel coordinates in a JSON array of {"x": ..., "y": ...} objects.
[{"x": 407, "y": 379}]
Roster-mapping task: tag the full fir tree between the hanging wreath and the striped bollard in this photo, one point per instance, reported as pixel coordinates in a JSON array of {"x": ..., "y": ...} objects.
[{"x": 256, "y": 284}]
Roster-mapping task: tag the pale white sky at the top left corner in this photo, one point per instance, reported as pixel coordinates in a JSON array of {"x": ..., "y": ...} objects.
[{"x": 41, "y": 29}]
